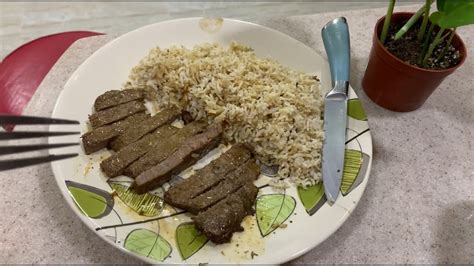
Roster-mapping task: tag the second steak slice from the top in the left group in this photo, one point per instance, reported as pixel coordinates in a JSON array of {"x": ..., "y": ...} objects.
[{"x": 115, "y": 113}]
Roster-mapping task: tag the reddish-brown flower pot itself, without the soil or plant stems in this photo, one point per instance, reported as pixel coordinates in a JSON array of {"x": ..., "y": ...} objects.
[{"x": 399, "y": 86}]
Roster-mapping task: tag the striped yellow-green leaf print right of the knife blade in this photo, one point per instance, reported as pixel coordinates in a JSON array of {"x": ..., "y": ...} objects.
[{"x": 352, "y": 164}]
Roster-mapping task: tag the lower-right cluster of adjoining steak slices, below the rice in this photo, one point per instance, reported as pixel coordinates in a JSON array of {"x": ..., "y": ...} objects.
[{"x": 221, "y": 193}]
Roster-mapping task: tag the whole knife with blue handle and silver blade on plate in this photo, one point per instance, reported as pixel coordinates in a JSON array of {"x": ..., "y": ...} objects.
[{"x": 335, "y": 36}]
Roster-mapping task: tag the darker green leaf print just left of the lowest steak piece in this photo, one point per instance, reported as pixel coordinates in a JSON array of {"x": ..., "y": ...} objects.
[{"x": 189, "y": 240}]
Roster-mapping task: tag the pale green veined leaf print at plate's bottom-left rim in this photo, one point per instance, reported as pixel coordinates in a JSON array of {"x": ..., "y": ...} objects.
[{"x": 147, "y": 243}]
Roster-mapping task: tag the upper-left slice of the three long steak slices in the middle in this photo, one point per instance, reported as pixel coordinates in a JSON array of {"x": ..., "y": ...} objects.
[{"x": 115, "y": 164}]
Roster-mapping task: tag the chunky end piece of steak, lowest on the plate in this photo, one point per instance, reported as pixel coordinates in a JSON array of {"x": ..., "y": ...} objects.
[{"x": 221, "y": 220}]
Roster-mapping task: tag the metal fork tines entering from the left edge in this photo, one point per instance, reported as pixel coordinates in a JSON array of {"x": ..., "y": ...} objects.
[{"x": 15, "y": 135}]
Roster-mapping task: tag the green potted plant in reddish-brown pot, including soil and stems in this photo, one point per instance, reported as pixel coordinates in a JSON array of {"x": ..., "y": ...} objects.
[{"x": 413, "y": 52}]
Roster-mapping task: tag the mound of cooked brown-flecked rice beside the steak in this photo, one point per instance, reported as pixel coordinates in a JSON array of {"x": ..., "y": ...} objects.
[{"x": 270, "y": 106}]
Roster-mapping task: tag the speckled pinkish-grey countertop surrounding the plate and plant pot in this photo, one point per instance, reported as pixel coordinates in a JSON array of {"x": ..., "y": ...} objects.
[{"x": 418, "y": 206}]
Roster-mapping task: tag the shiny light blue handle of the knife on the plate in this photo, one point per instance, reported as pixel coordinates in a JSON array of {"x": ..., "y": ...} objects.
[{"x": 337, "y": 44}]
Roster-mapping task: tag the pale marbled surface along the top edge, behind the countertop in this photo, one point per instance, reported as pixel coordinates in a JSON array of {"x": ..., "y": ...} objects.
[{"x": 22, "y": 21}]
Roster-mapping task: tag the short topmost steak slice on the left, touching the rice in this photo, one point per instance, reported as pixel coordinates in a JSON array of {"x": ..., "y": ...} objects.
[{"x": 116, "y": 97}]
